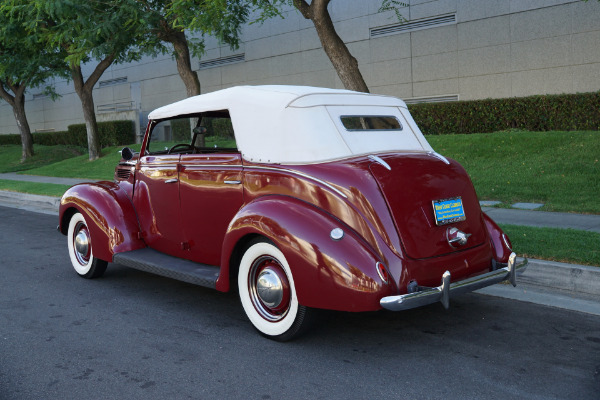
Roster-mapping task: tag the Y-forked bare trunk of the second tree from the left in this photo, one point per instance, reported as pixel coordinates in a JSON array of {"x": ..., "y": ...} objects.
[{"x": 84, "y": 91}]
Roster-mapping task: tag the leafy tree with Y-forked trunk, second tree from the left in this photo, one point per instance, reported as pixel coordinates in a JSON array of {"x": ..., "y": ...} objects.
[{"x": 98, "y": 31}]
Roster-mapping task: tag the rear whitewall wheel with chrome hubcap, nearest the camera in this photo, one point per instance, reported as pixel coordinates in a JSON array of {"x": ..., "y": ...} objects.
[{"x": 268, "y": 295}]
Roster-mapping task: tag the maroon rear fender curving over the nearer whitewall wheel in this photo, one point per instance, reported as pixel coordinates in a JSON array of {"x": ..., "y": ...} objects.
[{"x": 329, "y": 274}]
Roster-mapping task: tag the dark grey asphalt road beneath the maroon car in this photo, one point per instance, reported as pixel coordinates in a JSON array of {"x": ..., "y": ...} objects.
[{"x": 132, "y": 335}]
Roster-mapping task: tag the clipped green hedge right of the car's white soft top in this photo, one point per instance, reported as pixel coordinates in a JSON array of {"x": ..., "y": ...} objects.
[{"x": 565, "y": 112}]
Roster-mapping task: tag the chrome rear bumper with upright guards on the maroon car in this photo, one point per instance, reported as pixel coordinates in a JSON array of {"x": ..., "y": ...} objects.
[{"x": 442, "y": 293}]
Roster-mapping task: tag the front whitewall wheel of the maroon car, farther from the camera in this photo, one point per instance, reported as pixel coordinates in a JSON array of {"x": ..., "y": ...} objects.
[{"x": 80, "y": 249}]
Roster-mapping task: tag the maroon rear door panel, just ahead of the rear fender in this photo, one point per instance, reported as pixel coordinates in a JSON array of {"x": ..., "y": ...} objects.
[{"x": 211, "y": 193}]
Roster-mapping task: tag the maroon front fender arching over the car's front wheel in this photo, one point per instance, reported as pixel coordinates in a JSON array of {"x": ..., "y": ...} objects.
[{"x": 110, "y": 216}]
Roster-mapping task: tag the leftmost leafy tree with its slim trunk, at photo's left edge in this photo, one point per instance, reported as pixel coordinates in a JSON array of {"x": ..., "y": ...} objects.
[{"x": 24, "y": 63}]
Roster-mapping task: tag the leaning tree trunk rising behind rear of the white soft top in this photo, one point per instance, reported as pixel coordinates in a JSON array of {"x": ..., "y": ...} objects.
[{"x": 344, "y": 63}]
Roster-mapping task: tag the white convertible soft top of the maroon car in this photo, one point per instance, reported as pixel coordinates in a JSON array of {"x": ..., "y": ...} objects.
[{"x": 301, "y": 124}]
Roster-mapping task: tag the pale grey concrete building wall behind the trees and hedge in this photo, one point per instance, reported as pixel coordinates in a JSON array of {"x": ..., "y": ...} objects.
[{"x": 482, "y": 49}]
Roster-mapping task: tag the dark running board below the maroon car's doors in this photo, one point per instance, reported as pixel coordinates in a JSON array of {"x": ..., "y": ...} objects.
[{"x": 158, "y": 263}]
